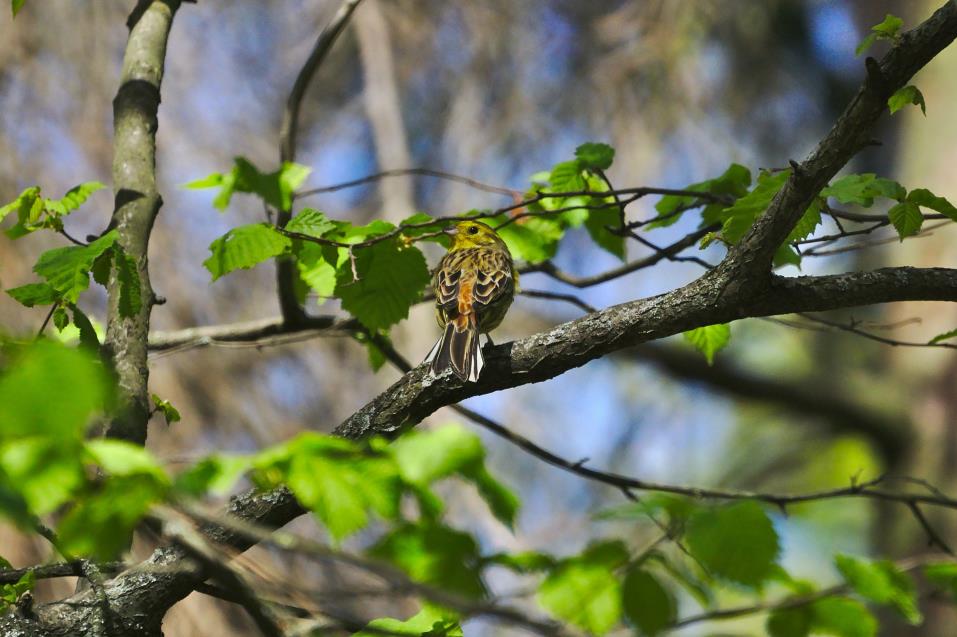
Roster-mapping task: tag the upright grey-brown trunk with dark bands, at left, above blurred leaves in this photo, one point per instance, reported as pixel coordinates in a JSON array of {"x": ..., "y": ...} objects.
[{"x": 137, "y": 203}]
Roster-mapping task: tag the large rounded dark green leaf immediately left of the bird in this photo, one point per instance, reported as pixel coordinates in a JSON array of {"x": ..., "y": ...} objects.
[{"x": 390, "y": 279}]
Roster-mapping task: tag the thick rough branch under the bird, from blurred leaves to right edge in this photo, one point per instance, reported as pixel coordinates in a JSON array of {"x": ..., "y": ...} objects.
[{"x": 706, "y": 301}]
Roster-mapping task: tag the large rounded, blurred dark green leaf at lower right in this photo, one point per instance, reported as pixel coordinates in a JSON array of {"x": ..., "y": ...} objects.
[{"x": 736, "y": 542}]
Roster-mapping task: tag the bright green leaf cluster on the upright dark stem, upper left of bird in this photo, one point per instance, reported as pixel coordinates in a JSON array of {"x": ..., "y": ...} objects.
[{"x": 275, "y": 188}]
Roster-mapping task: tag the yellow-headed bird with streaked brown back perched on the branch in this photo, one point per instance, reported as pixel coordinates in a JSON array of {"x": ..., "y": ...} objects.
[{"x": 474, "y": 285}]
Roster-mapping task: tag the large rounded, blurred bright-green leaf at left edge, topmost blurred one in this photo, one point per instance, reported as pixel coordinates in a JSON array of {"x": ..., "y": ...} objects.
[{"x": 51, "y": 390}]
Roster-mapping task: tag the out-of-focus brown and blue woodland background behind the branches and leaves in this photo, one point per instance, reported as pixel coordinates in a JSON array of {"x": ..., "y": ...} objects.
[{"x": 497, "y": 90}]
